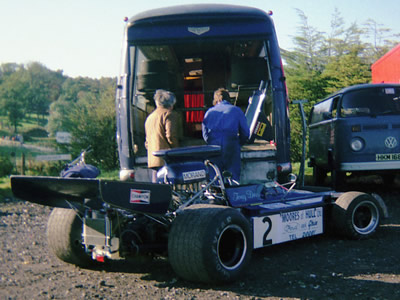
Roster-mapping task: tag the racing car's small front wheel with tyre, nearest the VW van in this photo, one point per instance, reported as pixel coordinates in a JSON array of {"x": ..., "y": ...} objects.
[{"x": 356, "y": 215}]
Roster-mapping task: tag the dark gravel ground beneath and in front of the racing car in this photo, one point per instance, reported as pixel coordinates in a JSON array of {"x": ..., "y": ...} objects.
[{"x": 323, "y": 267}]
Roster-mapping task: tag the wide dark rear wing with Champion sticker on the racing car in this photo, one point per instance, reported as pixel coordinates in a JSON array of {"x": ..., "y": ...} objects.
[{"x": 94, "y": 193}]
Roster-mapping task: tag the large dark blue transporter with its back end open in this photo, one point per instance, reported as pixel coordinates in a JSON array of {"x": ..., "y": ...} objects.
[{"x": 192, "y": 51}]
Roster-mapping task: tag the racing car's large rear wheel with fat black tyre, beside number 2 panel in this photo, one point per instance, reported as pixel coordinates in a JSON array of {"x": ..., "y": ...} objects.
[{"x": 209, "y": 243}]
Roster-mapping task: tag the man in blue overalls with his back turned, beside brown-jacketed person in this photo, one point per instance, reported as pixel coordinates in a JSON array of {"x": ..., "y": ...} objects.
[{"x": 225, "y": 125}]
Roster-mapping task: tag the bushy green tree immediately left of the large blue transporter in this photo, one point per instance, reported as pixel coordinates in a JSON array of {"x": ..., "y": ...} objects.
[{"x": 90, "y": 118}]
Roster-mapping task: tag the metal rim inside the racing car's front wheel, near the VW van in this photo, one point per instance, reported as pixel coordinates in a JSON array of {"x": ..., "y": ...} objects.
[{"x": 365, "y": 217}]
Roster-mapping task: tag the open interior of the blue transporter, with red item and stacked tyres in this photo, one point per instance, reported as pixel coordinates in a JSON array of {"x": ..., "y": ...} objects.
[{"x": 193, "y": 71}]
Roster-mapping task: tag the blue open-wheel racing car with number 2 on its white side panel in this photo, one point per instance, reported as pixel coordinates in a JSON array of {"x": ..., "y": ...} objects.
[{"x": 206, "y": 225}]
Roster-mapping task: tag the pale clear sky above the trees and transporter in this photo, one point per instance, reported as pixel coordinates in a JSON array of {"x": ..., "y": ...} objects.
[{"x": 84, "y": 37}]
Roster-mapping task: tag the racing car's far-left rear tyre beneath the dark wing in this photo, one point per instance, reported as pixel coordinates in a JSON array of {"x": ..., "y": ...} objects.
[{"x": 64, "y": 235}]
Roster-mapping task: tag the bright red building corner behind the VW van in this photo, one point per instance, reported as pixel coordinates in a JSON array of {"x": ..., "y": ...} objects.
[{"x": 387, "y": 68}]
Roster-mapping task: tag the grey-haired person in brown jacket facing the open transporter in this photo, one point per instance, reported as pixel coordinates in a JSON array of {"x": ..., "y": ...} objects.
[{"x": 162, "y": 128}]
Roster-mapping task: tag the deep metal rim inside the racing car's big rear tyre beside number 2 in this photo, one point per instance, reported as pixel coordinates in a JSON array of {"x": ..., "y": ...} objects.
[{"x": 232, "y": 247}]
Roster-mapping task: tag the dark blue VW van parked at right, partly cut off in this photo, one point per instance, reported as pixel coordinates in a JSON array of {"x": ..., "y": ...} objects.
[{"x": 356, "y": 131}]
